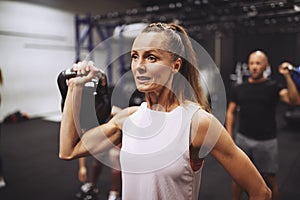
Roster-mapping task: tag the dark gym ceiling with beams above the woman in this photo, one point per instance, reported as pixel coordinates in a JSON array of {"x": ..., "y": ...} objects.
[{"x": 238, "y": 16}]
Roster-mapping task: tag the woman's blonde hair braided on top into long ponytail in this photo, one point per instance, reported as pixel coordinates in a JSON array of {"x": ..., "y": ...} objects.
[{"x": 186, "y": 85}]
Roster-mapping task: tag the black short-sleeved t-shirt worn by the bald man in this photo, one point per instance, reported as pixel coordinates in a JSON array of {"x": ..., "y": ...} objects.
[{"x": 257, "y": 107}]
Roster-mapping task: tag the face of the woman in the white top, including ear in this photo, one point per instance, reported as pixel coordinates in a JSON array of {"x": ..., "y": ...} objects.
[{"x": 152, "y": 65}]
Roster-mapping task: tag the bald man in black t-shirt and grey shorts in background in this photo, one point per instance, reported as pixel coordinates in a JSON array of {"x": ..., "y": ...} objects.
[{"x": 257, "y": 99}]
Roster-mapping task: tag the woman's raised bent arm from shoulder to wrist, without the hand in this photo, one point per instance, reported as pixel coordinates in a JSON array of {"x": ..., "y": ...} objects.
[{"x": 93, "y": 141}]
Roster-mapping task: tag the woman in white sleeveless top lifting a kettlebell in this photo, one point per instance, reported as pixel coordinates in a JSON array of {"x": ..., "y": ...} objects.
[{"x": 165, "y": 140}]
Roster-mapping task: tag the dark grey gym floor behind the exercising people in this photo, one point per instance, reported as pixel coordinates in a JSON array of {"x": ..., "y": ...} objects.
[{"x": 33, "y": 171}]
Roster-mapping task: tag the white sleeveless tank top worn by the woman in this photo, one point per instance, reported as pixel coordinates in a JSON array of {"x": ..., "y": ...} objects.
[{"x": 155, "y": 159}]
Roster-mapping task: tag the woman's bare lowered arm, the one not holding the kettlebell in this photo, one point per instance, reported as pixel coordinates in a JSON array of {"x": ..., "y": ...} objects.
[{"x": 213, "y": 136}]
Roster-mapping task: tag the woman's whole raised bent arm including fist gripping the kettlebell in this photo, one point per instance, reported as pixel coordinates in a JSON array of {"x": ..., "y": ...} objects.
[{"x": 73, "y": 143}]
